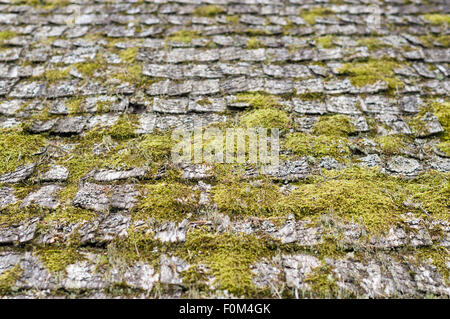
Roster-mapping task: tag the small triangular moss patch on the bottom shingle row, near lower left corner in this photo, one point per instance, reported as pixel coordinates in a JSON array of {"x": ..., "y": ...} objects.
[{"x": 57, "y": 259}]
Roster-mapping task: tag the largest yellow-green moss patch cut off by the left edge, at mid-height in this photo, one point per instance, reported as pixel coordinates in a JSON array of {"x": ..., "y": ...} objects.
[{"x": 18, "y": 148}]
